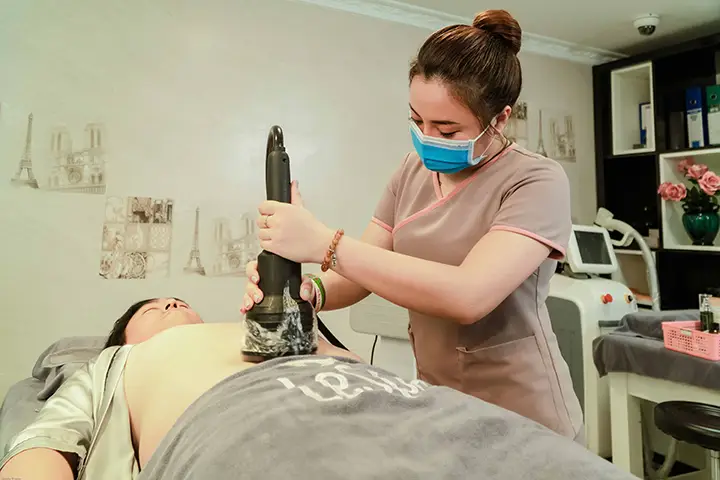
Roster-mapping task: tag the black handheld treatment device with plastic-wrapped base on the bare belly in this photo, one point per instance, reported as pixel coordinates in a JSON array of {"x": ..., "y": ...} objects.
[{"x": 282, "y": 324}]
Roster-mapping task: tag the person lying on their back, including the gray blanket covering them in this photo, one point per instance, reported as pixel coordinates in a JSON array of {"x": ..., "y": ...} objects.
[{"x": 171, "y": 397}]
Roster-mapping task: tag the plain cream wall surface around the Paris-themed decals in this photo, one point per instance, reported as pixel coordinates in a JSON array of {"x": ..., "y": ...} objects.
[{"x": 186, "y": 95}]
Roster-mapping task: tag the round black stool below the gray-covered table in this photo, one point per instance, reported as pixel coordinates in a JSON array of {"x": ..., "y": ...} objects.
[{"x": 694, "y": 423}]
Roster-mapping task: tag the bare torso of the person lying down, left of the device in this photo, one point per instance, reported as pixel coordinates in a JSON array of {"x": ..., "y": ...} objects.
[{"x": 166, "y": 374}]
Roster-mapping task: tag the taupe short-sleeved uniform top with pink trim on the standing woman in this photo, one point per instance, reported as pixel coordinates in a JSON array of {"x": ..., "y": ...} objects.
[{"x": 510, "y": 357}]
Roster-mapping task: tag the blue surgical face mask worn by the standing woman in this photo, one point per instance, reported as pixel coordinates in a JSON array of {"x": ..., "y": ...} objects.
[{"x": 444, "y": 155}]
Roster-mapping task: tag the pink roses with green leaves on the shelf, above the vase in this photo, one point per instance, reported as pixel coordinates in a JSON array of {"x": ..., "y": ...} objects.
[{"x": 702, "y": 194}]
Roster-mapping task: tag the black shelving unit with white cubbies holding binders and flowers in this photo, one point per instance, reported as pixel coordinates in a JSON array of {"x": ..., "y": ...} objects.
[{"x": 629, "y": 168}]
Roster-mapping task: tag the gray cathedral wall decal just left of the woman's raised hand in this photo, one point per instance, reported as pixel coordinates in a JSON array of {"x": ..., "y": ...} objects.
[{"x": 235, "y": 244}]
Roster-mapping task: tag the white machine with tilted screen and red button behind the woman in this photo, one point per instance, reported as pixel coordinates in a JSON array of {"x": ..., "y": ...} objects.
[{"x": 582, "y": 306}]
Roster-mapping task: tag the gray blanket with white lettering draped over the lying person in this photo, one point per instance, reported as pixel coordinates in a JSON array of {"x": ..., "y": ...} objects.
[{"x": 322, "y": 418}]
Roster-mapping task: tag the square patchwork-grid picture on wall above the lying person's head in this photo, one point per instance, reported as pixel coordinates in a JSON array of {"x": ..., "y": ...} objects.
[{"x": 136, "y": 238}]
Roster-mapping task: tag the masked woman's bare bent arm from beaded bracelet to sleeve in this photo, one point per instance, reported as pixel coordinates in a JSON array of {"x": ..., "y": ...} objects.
[{"x": 493, "y": 269}]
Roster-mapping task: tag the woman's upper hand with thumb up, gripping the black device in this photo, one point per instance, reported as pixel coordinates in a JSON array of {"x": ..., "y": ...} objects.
[{"x": 291, "y": 231}]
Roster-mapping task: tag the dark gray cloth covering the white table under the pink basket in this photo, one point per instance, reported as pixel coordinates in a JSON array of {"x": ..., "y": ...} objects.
[{"x": 637, "y": 347}]
